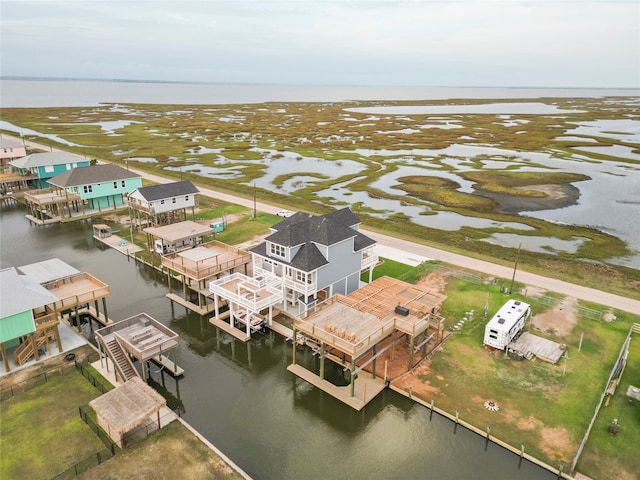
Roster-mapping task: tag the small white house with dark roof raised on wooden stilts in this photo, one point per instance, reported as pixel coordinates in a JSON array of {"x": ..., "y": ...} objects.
[{"x": 162, "y": 204}]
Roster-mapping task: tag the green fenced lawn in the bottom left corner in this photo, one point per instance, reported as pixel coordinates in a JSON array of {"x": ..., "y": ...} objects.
[{"x": 42, "y": 433}]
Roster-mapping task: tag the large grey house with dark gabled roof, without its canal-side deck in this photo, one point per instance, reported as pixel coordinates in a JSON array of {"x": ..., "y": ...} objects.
[{"x": 316, "y": 256}]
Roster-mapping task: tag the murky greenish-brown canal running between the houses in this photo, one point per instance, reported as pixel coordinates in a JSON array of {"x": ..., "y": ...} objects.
[{"x": 242, "y": 399}]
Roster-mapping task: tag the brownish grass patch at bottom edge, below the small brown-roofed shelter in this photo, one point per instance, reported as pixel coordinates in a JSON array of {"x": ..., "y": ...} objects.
[{"x": 173, "y": 452}]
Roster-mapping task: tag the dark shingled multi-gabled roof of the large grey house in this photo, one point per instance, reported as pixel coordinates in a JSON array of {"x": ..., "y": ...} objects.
[{"x": 307, "y": 230}]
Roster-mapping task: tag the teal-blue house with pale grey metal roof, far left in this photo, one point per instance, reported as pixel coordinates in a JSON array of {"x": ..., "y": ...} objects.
[{"x": 43, "y": 166}]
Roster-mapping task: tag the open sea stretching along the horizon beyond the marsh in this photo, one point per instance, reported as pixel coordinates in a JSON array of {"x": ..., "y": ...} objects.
[{"x": 78, "y": 93}]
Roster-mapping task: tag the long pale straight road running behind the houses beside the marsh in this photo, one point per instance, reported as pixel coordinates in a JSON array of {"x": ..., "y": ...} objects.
[{"x": 413, "y": 253}]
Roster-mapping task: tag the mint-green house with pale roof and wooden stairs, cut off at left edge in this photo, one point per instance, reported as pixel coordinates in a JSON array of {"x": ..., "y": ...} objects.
[{"x": 27, "y": 317}]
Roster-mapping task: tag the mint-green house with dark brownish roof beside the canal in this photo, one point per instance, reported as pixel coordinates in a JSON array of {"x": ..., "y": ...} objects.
[{"x": 99, "y": 186}]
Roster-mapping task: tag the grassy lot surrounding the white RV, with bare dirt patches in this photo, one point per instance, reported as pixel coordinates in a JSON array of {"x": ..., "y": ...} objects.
[{"x": 541, "y": 406}]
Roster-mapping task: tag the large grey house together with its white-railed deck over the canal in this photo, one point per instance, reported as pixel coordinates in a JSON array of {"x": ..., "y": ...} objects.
[{"x": 307, "y": 258}]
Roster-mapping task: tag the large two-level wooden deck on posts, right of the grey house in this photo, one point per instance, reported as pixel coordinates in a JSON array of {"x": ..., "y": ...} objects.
[{"x": 355, "y": 330}]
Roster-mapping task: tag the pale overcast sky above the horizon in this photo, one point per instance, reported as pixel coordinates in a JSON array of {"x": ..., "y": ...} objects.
[{"x": 482, "y": 43}]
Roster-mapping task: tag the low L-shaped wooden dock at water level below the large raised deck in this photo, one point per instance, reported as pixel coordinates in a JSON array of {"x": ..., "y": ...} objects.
[{"x": 365, "y": 389}]
